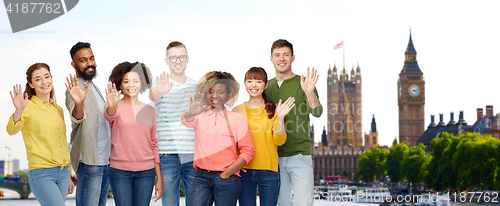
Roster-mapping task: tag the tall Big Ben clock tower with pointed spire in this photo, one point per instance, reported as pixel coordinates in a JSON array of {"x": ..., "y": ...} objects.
[{"x": 411, "y": 98}]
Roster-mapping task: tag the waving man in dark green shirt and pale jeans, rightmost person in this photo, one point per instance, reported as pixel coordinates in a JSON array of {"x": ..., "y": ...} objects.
[{"x": 296, "y": 171}]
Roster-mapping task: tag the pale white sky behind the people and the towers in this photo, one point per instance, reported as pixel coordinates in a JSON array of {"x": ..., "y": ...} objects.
[{"x": 456, "y": 42}]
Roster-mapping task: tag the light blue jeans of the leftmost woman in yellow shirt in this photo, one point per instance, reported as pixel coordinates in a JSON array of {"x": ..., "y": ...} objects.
[{"x": 49, "y": 185}]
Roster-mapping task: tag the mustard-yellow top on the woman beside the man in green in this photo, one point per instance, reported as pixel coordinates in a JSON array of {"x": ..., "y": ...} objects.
[{"x": 265, "y": 138}]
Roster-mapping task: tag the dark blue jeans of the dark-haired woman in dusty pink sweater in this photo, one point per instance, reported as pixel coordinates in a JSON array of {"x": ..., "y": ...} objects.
[{"x": 132, "y": 188}]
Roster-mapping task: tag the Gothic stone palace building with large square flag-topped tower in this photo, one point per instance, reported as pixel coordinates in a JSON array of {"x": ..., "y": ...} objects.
[{"x": 342, "y": 139}]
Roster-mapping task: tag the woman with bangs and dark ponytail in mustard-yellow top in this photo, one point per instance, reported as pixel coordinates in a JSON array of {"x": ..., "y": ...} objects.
[{"x": 266, "y": 122}]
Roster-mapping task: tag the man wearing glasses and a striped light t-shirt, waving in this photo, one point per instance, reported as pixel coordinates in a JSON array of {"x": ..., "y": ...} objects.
[{"x": 171, "y": 93}]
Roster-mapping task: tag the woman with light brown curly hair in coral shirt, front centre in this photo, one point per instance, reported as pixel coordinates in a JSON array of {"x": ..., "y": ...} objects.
[{"x": 223, "y": 143}]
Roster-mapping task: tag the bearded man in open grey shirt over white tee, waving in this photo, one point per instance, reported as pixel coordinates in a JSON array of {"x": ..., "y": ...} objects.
[{"x": 90, "y": 138}]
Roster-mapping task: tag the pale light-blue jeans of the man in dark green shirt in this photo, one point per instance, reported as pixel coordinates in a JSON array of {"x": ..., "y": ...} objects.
[{"x": 297, "y": 175}]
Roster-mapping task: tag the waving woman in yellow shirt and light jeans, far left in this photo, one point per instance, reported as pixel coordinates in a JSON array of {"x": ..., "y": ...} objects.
[{"x": 41, "y": 122}]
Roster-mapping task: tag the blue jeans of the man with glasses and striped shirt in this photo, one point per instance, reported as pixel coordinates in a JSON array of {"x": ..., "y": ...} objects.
[{"x": 172, "y": 172}]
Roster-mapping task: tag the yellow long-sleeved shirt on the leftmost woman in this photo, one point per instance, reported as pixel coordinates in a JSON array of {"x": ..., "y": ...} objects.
[{"x": 44, "y": 134}]
